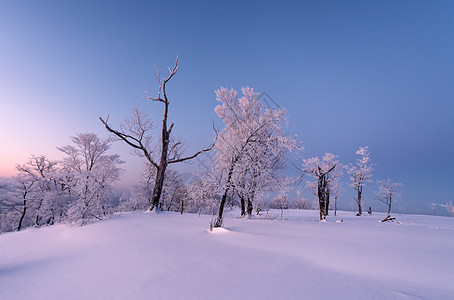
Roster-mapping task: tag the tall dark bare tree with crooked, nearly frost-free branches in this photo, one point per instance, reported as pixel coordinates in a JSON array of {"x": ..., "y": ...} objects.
[{"x": 135, "y": 135}]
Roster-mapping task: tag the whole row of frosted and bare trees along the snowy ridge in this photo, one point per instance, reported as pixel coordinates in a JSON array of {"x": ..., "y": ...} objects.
[{"x": 249, "y": 161}]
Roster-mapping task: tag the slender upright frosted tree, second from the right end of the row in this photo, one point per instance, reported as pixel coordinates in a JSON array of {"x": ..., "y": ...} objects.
[{"x": 360, "y": 174}]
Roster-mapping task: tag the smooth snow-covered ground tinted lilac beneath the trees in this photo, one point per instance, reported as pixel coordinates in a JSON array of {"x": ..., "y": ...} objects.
[{"x": 172, "y": 256}]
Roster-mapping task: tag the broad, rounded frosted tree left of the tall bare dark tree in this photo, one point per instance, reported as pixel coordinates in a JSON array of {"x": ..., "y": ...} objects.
[{"x": 89, "y": 174}]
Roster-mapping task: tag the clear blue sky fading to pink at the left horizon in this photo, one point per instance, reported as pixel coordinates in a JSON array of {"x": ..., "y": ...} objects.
[{"x": 349, "y": 73}]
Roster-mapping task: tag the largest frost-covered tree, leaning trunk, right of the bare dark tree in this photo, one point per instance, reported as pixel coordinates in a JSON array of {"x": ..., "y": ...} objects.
[{"x": 251, "y": 132}]
